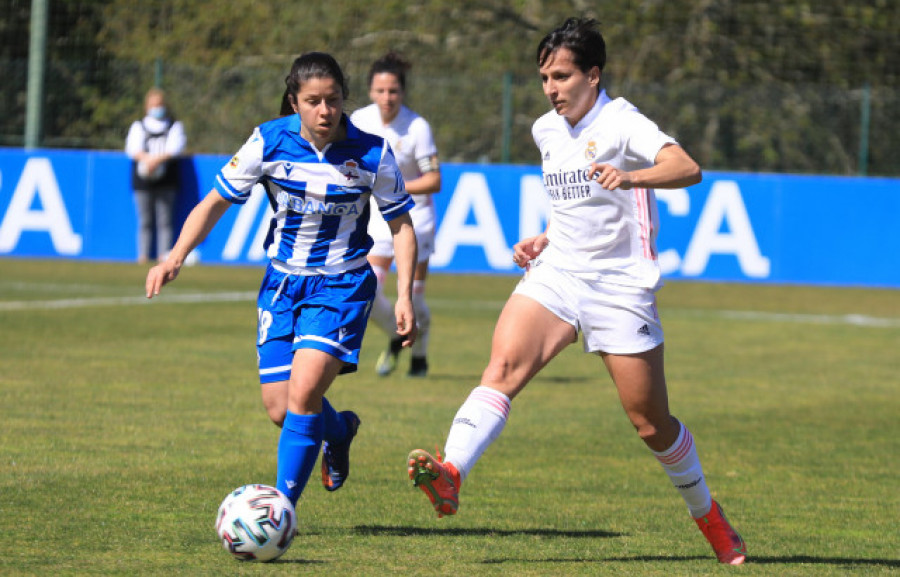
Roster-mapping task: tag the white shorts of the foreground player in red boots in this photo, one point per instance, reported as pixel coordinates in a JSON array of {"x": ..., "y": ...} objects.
[{"x": 614, "y": 319}]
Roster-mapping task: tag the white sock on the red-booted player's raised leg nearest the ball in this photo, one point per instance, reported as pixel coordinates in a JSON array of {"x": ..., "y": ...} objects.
[{"x": 477, "y": 424}]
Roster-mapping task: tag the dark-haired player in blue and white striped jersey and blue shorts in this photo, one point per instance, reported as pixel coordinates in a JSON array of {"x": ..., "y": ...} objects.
[{"x": 314, "y": 301}]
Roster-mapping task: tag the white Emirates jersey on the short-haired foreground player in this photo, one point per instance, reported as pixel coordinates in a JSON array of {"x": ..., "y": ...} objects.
[{"x": 608, "y": 235}]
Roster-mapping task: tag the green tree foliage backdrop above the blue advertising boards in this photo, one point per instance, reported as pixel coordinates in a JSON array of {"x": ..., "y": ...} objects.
[{"x": 743, "y": 84}]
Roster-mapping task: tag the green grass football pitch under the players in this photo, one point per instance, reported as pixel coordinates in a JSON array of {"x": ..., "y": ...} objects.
[{"x": 125, "y": 423}]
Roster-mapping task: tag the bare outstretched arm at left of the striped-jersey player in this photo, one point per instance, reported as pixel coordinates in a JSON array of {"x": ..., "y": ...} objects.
[{"x": 199, "y": 223}]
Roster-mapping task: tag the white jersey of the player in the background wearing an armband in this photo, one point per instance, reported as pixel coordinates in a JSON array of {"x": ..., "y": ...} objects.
[{"x": 411, "y": 139}]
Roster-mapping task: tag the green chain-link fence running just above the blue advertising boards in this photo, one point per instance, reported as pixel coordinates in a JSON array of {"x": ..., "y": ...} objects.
[{"x": 769, "y": 128}]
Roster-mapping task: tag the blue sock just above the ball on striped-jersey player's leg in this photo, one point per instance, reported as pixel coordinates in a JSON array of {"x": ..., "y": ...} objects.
[{"x": 298, "y": 449}]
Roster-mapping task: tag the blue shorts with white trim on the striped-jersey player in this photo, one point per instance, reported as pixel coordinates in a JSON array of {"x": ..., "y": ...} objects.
[{"x": 323, "y": 312}]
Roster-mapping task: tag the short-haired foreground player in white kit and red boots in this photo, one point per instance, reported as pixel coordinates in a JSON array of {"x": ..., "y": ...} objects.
[{"x": 594, "y": 271}]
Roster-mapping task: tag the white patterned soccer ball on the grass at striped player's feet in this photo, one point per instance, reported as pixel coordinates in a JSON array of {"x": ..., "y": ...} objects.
[{"x": 256, "y": 523}]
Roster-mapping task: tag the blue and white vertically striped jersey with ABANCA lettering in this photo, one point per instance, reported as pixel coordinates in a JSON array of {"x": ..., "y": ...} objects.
[{"x": 321, "y": 197}]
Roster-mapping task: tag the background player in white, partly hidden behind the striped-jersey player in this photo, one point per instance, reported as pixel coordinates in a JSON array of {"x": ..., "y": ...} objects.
[{"x": 413, "y": 144}]
